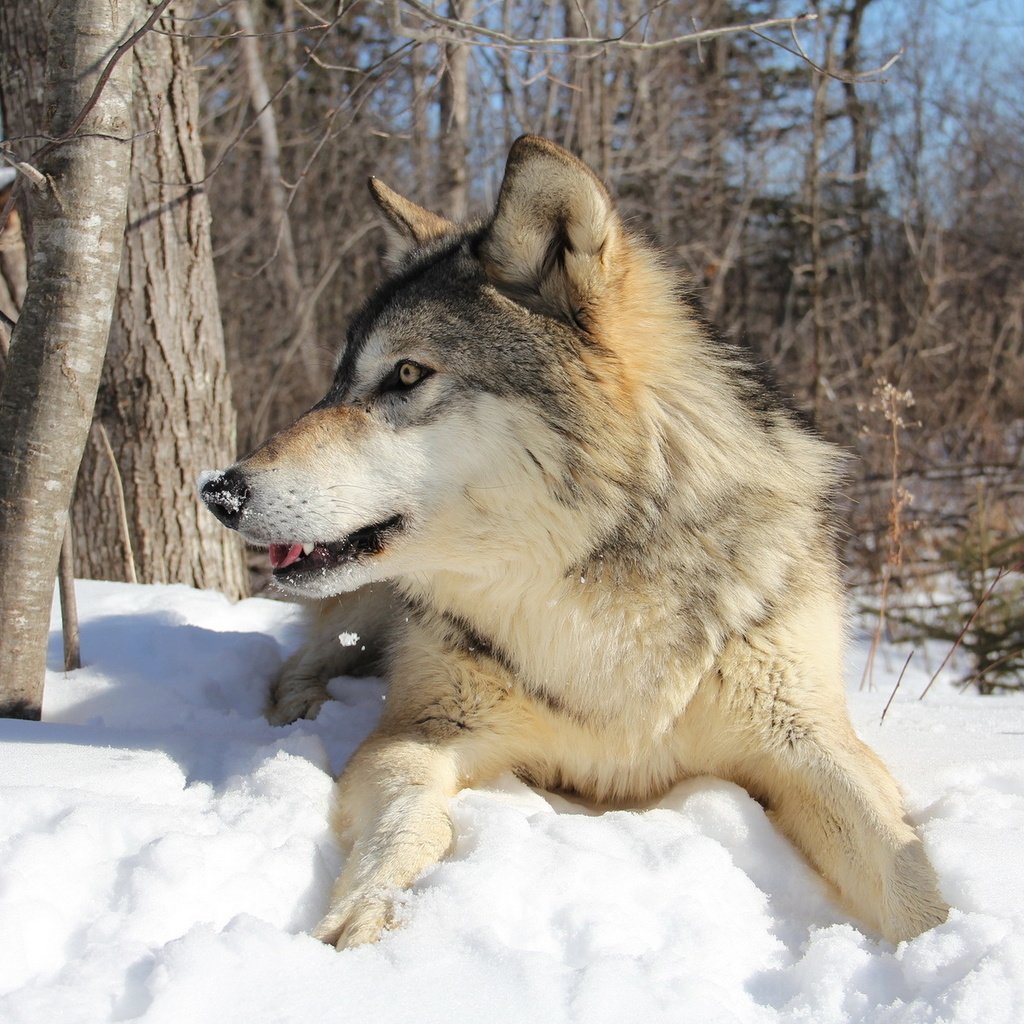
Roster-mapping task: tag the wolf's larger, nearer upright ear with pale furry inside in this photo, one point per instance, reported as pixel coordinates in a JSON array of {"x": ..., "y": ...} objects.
[{"x": 556, "y": 236}]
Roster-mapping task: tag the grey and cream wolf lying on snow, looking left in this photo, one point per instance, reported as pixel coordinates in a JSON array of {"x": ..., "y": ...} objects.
[{"x": 584, "y": 540}]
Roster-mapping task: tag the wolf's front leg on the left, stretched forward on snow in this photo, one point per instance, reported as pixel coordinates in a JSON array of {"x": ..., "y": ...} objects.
[{"x": 451, "y": 720}]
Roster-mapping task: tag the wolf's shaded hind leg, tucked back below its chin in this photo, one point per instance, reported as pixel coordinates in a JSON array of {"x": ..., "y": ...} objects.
[{"x": 364, "y": 619}]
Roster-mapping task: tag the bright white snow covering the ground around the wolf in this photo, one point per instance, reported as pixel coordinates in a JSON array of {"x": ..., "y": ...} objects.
[{"x": 163, "y": 851}]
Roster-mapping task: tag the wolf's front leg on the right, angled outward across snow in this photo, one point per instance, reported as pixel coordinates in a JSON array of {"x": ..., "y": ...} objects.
[{"x": 835, "y": 799}]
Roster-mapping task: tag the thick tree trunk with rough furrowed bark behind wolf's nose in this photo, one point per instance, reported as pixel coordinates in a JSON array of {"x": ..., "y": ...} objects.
[{"x": 165, "y": 399}]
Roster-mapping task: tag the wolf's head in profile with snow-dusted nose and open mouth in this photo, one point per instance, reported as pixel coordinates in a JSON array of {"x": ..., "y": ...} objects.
[{"x": 490, "y": 404}]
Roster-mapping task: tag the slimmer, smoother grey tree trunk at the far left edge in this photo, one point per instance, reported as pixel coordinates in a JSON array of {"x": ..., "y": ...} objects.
[{"x": 57, "y": 351}]
